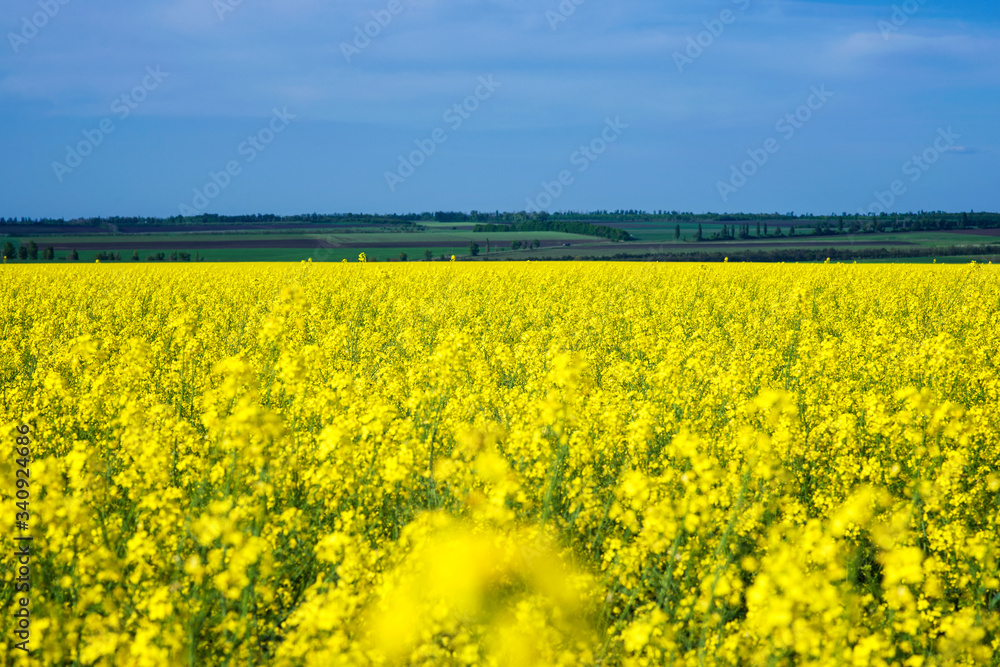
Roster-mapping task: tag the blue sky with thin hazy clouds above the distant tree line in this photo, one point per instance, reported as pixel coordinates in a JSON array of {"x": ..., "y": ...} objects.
[{"x": 632, "y": 104}]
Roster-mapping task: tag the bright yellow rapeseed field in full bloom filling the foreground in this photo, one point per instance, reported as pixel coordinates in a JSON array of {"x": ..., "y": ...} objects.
[{"x": 531, "y": 464}]
